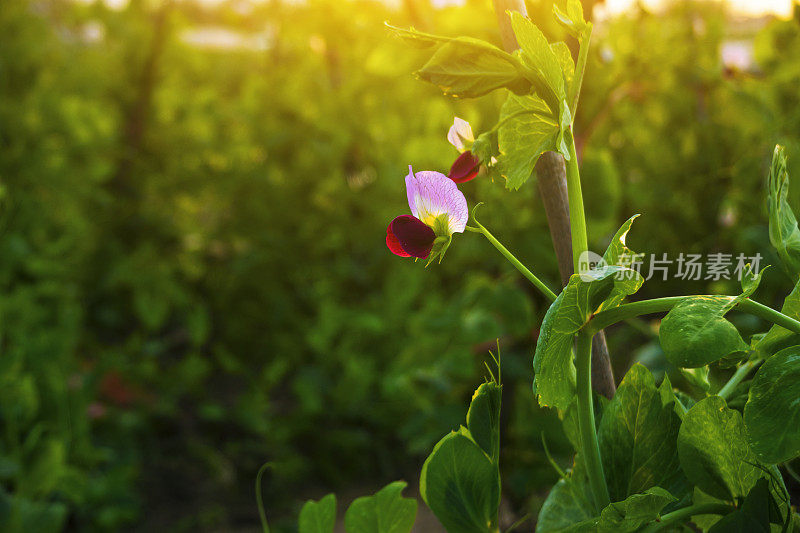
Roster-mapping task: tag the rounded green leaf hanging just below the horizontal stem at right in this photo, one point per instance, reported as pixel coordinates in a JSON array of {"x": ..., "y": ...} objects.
[{"x": 695, "y": 333}]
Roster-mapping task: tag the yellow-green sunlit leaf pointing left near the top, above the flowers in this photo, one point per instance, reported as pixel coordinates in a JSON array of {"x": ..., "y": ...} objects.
[{"x": 467, "y": 67}]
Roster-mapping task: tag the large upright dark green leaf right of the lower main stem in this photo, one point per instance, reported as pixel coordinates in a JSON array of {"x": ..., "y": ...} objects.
[{"x": 638, "y": 437}]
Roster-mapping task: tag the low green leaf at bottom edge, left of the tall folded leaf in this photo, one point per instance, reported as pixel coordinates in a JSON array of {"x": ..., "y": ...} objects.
[{"x": 384, "y": 512}]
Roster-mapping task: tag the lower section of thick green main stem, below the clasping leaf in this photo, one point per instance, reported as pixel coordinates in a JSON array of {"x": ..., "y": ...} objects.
[{"x": 589, "y": 446}]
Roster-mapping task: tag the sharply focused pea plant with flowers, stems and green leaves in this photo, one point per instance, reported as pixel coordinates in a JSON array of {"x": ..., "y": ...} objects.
[{"x": 651, "y": 458}]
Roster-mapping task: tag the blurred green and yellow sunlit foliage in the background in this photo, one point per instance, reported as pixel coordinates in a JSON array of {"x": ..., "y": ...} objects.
[{"x": 193, "y": 273}]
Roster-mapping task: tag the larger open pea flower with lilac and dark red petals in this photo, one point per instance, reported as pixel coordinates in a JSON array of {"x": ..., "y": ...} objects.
[{"x": 438, "y": 209}]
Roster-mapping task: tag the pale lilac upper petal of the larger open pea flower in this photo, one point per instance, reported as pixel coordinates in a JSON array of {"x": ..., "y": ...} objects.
[{"x": 431, "y": 194}]
